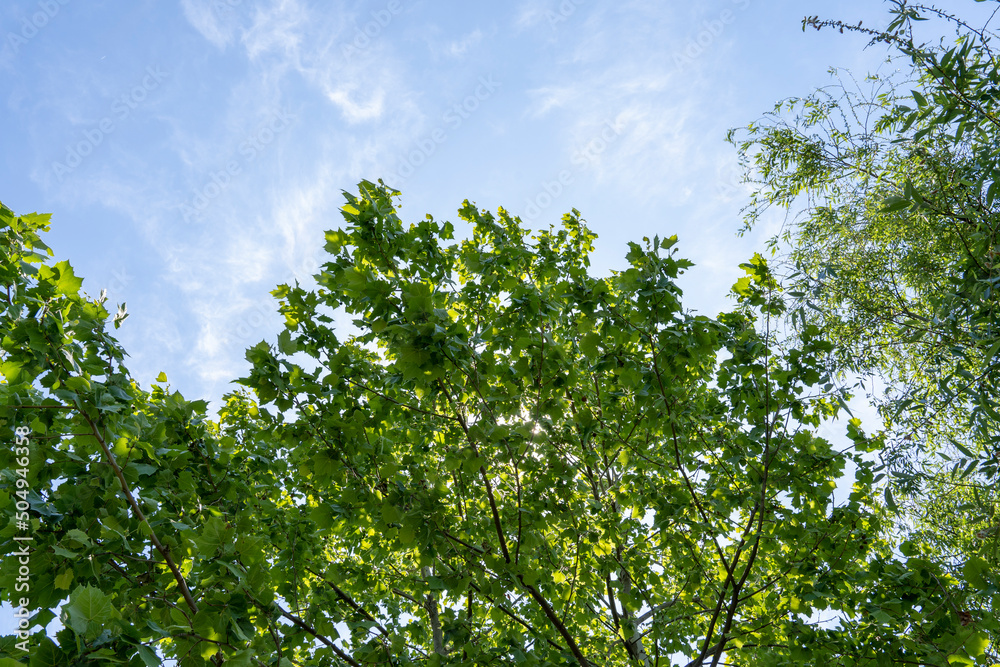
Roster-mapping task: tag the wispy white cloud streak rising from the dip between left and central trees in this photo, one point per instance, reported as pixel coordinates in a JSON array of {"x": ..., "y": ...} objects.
[{"x": 266, "y": 226}]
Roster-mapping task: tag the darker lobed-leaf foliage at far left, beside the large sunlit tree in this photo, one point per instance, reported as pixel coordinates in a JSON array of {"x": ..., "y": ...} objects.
[{"x": 121, "y": 491}]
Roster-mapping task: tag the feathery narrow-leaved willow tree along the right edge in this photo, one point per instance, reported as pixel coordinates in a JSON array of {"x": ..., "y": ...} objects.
[{"x": 893, "y": 252}]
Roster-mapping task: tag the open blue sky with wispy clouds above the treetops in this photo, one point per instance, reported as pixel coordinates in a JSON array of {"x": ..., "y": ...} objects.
[{"x": 193, "y": 151}]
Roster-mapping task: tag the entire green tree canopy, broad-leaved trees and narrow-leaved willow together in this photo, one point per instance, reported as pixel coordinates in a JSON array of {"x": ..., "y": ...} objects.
[{"x": 510, "y": 460}]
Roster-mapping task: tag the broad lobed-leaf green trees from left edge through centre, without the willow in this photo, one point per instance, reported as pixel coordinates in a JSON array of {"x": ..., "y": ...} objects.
[{"x": 509, "y": 461}]
